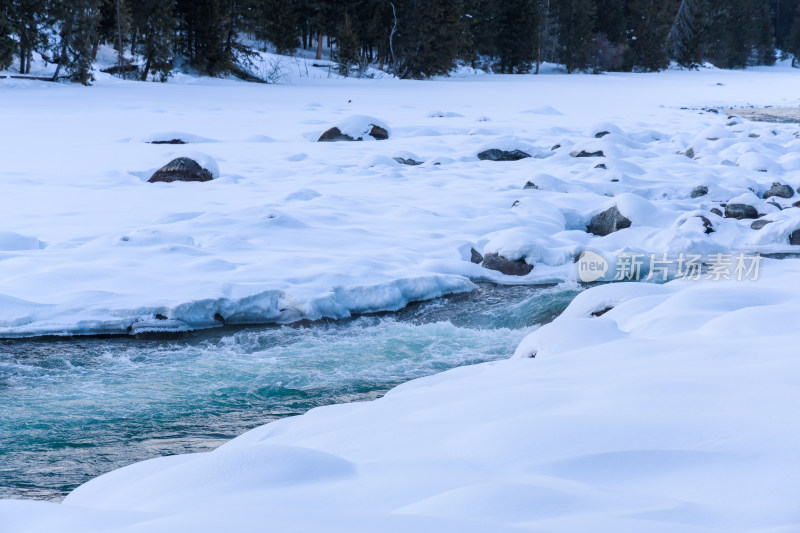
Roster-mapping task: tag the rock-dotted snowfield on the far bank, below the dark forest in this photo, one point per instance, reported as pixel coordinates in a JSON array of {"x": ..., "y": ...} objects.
[{"x": 296, "y": 229}]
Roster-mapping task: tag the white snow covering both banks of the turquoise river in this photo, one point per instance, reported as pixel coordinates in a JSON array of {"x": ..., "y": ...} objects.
[{"x": 671, "y": 412}]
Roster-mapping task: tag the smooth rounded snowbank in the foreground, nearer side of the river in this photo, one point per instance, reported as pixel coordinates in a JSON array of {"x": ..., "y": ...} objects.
[{"x": 675, "y": 417}]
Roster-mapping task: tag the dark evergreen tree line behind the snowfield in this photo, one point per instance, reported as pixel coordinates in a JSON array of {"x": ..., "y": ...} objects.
[{"x": 410, "y": 38}]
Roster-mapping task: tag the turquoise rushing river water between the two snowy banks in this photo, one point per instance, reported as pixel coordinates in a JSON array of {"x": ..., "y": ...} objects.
[{"x": 74, "y": 409}]
